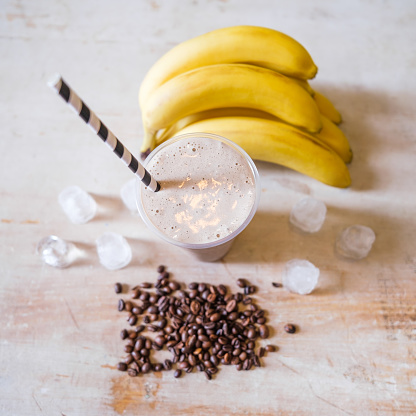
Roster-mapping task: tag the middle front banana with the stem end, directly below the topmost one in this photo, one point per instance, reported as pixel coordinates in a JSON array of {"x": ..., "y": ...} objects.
[{"x": 228, "y": 85}]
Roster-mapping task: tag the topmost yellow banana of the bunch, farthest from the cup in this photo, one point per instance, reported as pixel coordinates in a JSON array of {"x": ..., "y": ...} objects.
[{"x": 255, "y": 45}]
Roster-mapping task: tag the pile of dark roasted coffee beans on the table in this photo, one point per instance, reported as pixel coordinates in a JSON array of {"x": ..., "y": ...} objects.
[{"x": 202, "y": 326}]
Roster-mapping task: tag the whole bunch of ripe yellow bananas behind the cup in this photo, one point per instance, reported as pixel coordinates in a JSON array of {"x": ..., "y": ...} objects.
[{"x": 249, "y": 84}]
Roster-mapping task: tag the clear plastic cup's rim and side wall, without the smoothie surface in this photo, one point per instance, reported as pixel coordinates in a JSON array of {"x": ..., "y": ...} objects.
[{"x": 214, "y": 250}]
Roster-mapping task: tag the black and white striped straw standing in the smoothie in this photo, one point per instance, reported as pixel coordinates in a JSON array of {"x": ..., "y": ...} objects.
[{"x": 72, "y": 99}]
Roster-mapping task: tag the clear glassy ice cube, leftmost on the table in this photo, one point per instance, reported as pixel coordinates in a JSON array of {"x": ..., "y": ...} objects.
[{"x": 56, "y": 252}]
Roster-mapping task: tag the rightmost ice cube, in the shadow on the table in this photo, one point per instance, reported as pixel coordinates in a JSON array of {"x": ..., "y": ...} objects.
[{"x": 355, "y": 241}]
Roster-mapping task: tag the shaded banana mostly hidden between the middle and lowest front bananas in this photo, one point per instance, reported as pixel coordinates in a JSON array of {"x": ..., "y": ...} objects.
[{"x": 331, "y": 135}]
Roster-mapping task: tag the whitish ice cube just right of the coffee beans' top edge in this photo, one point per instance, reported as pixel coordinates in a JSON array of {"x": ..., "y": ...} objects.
[{"x": 300, "y": 276}]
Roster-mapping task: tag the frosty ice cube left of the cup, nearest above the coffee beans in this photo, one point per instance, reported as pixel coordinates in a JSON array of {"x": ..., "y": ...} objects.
[{"x": 113, "y": 251}]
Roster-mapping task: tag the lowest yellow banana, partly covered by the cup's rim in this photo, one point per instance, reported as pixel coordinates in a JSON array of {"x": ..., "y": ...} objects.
[{"x": 279, "y": 143}]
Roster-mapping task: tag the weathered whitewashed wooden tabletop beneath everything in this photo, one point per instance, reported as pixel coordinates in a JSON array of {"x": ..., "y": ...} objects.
[{"x": 355, "y": 351}]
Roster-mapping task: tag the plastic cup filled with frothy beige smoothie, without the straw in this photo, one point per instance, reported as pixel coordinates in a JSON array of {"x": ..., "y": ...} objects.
[{"x": 209, "y": 193}]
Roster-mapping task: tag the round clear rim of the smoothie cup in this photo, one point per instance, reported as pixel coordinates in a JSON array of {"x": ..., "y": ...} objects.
[{"x": 196, "y": 246}]
